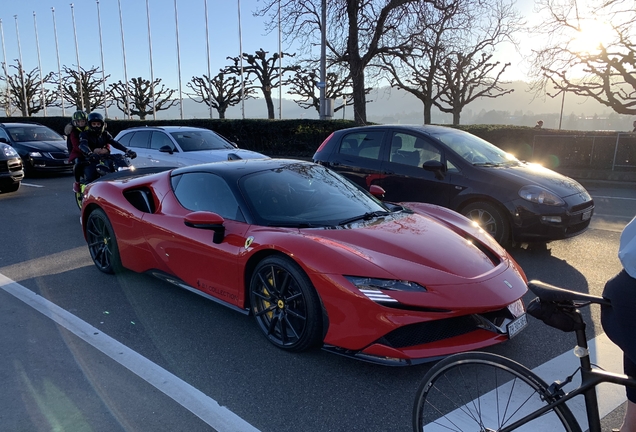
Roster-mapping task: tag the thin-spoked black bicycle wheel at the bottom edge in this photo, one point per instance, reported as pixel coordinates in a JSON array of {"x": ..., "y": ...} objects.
[{"x": 483, "y": 392}]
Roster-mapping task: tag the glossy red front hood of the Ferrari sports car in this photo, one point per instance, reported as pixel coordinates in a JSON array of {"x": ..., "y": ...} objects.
[{"x": 406, "y": 243}]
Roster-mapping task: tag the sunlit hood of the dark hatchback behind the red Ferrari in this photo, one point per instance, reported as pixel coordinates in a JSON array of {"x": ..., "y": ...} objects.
[{"x": 528, "y": 174}]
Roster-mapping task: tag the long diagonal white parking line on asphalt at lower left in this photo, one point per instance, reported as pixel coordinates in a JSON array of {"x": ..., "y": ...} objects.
[{"x": 195, "y": 401}]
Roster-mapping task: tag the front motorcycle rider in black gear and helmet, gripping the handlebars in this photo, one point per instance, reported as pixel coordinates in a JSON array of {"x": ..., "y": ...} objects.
[{"x": 95, "y": 142}]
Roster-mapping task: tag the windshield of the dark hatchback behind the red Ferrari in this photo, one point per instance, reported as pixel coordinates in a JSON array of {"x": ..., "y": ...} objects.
[{"x": 474, "y": 149}]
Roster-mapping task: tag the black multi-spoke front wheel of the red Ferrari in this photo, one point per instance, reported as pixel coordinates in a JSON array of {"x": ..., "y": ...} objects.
[{"x": 285, "y": 304}]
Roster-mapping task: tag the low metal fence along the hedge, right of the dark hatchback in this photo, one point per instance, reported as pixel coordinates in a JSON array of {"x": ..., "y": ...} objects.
[{"x": 615, "y": 152}]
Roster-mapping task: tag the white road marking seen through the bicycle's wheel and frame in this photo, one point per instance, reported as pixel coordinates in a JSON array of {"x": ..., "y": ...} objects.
[{"x": 603, "y": 353}]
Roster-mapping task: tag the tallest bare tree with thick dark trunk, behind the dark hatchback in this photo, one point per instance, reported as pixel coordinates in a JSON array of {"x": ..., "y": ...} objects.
[{"x": 358, "y": 32}]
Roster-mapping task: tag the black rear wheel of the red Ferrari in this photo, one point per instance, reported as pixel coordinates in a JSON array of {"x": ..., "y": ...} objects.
[{"x": 102, "y": 243}]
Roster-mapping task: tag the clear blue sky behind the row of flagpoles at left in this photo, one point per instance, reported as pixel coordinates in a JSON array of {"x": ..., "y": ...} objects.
[{"x": 223, "y": 30}]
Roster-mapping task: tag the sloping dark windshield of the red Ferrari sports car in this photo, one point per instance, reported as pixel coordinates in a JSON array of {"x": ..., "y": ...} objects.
[{"x": 304, "y": 195}]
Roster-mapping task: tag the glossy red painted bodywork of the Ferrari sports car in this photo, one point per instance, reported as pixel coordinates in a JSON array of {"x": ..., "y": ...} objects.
[{"x": 463, "y": 269}]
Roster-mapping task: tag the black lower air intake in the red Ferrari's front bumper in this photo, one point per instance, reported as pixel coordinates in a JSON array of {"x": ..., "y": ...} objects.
[{"x": 427, "y": 332}]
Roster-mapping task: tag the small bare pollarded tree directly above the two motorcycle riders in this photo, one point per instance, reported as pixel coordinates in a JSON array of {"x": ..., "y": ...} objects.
[{"x": 83, "y": 88}]
